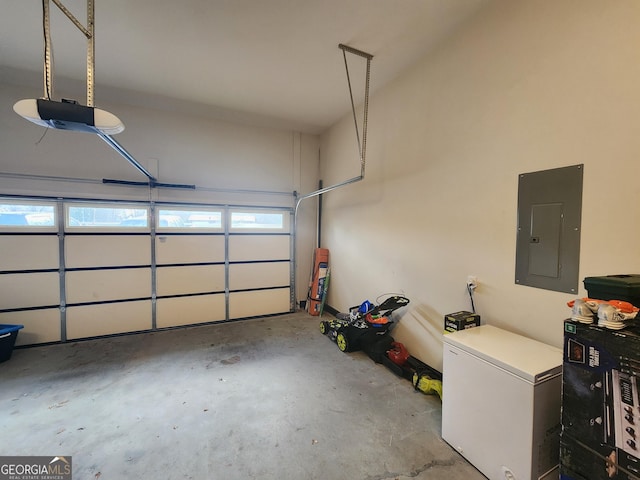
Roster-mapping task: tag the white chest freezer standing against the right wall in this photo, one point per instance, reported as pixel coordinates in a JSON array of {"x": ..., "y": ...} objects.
[{"x": 501, "y": 402}]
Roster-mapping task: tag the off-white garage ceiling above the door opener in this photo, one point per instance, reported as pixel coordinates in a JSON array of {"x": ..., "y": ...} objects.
[{"x": 276, "y": 61}]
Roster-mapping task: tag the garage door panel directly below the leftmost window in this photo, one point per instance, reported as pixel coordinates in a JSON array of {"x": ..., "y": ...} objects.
[{"x": 22, "y": 252}]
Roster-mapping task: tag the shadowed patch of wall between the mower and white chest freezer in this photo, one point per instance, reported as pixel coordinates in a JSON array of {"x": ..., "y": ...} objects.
[{"x": 420, "y": 330}]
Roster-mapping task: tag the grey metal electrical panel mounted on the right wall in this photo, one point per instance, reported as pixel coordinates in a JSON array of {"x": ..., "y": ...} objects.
[{"x": 549, "y": 223}]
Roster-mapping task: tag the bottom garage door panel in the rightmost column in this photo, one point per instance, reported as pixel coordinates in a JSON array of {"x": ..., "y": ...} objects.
[{"x": 259, "y": 302}]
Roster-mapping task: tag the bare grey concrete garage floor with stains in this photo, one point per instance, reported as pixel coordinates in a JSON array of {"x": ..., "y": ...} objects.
[{"x": 269, "y": 398}]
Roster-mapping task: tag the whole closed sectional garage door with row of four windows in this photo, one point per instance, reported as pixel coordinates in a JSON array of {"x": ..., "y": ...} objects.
[{"x": 72, "y": 269}]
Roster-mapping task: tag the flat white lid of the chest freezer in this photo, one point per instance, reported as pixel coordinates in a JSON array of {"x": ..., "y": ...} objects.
[{"x": 529, "y": 359}]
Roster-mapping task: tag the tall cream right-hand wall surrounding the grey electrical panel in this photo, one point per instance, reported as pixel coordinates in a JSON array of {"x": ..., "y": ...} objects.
[{"x": 524, "y": 86}]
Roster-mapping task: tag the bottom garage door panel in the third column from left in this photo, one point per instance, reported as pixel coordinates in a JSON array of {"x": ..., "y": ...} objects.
[{"x": 177, "y": 311}]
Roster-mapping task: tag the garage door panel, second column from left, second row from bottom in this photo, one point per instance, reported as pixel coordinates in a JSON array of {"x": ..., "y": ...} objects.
[{"x": 103, "y": 285}]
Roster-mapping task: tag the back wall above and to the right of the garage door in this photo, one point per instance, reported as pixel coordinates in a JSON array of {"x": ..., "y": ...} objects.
[{"x": 215, "y": 155}]
